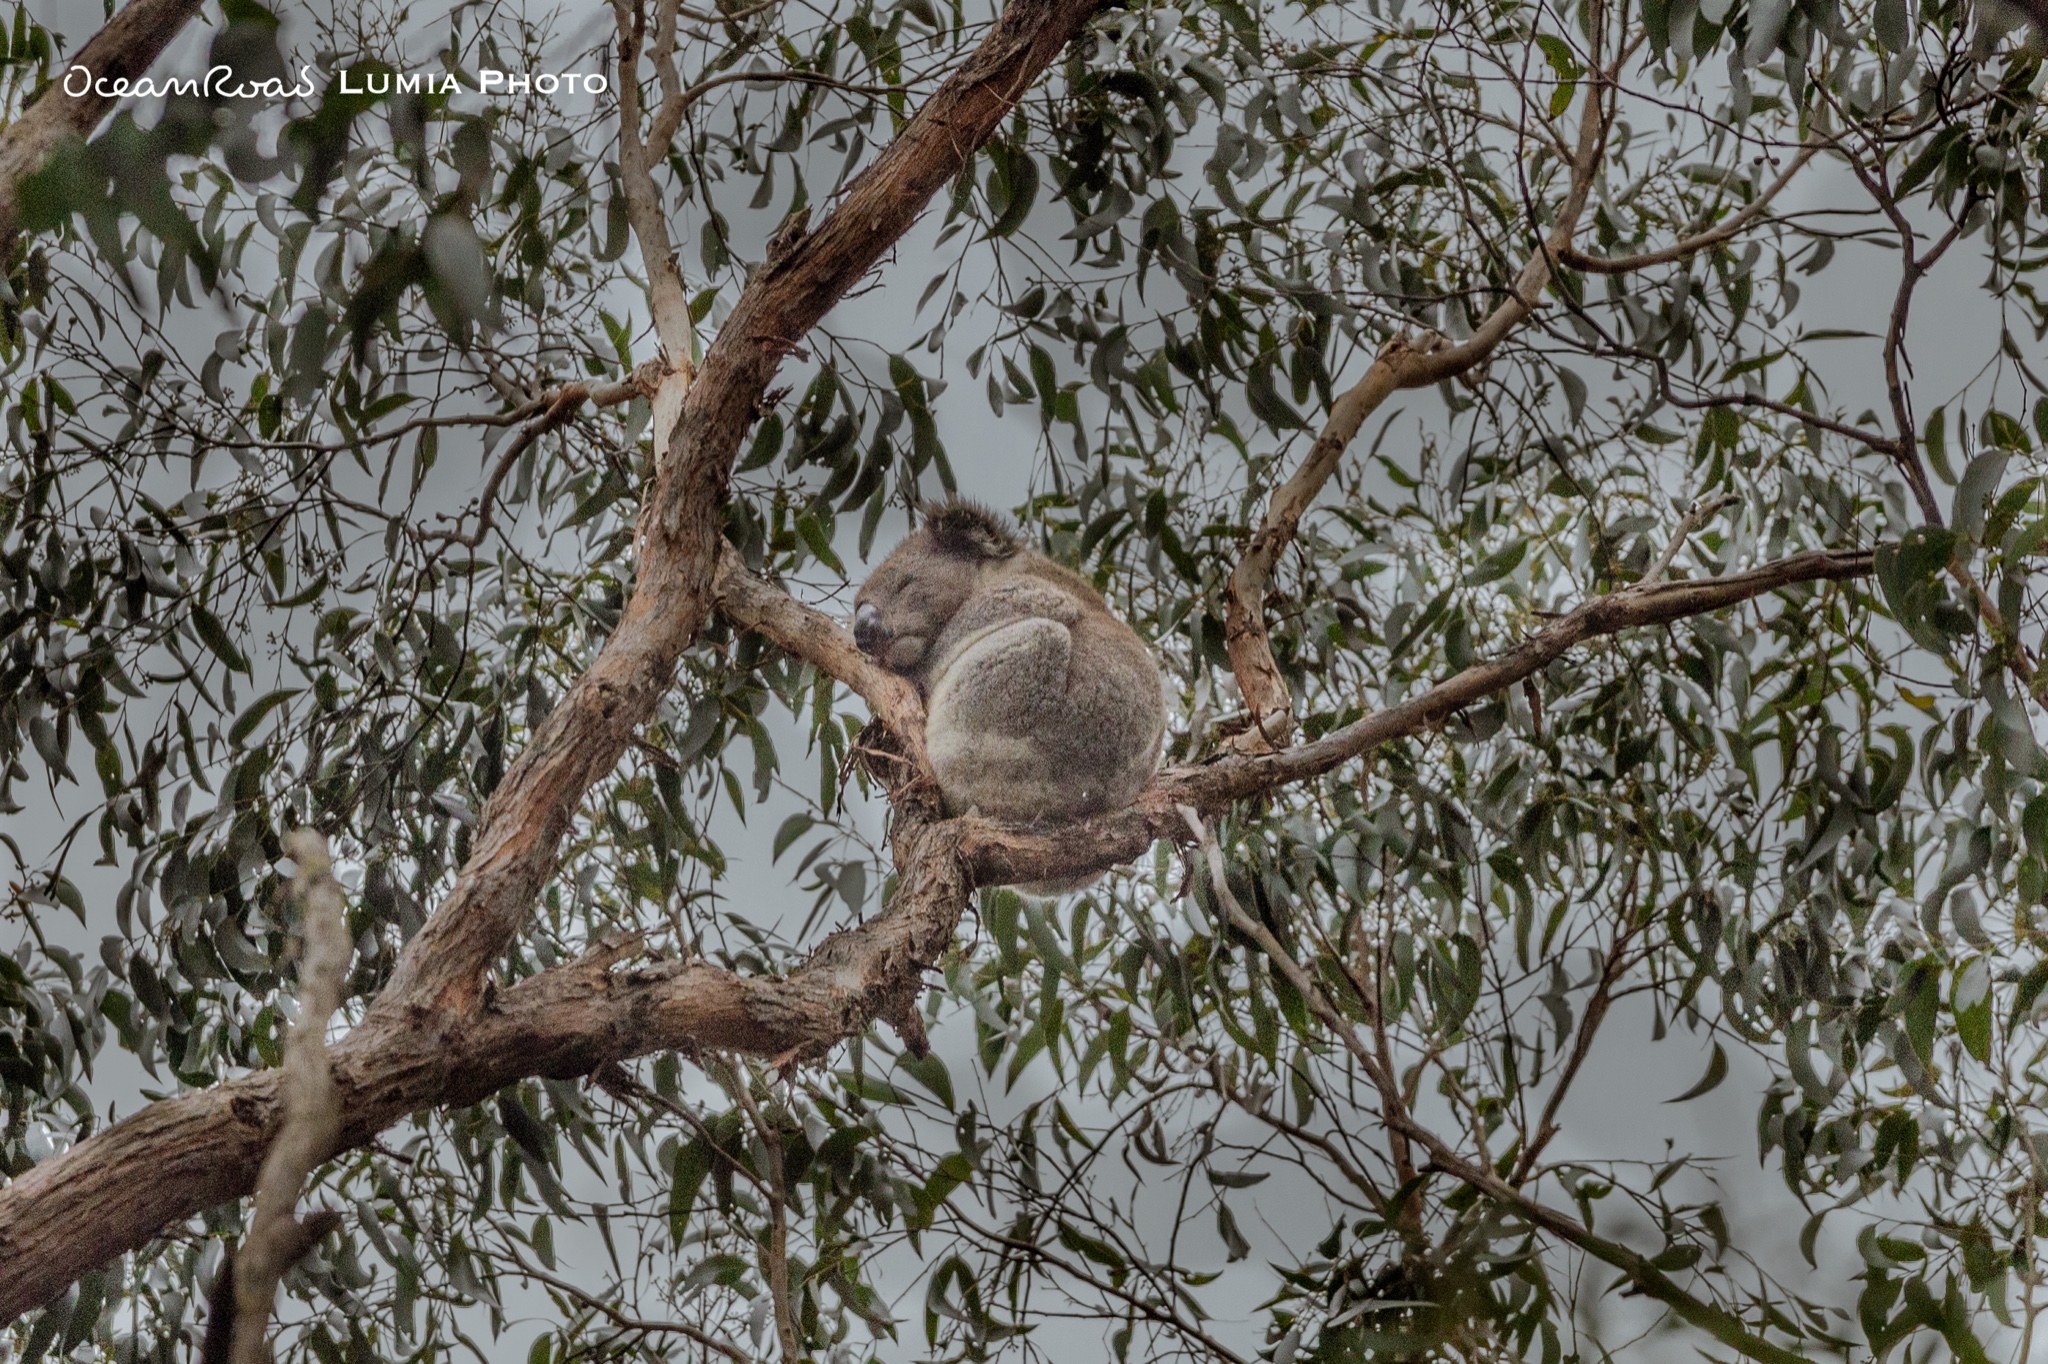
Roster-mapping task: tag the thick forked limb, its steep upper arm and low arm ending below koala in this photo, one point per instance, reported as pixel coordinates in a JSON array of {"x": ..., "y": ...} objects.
[{"x": 429, "y": 1041}]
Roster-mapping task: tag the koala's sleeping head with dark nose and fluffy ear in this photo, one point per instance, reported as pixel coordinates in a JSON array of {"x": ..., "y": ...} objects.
[{"x": 908, "y": 601}]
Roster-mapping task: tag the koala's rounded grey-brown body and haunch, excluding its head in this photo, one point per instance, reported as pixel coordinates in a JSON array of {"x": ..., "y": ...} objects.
[{"x": 1043, "y": 706}]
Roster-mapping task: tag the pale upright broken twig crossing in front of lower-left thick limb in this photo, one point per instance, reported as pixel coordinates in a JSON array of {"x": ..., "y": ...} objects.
[{"x": 312, "y": 1105}]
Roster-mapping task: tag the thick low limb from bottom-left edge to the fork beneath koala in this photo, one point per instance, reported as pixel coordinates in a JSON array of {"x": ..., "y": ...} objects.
[{"x": 187, "y": 1154}]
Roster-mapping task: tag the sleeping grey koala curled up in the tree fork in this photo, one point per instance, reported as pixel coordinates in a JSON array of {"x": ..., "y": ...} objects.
[{"x": 1039, "y": 704}]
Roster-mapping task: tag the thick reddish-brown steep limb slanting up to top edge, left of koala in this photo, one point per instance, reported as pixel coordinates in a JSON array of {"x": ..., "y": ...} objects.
[{"x": 681, "y": 531}]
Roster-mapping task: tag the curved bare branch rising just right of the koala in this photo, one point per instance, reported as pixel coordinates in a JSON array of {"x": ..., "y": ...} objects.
[{"x": 1398, "y": 368}]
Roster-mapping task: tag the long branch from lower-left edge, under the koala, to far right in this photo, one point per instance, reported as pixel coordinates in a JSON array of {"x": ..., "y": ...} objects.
[{"x": 175, "y": 1158}]
